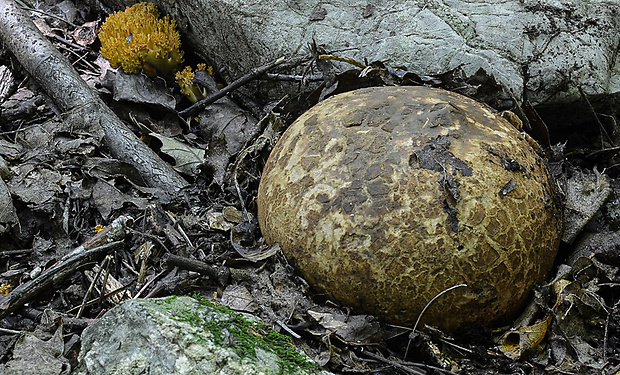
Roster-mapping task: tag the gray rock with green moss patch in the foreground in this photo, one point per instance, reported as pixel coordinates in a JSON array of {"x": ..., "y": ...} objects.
[{"x": 180, "y": 335}]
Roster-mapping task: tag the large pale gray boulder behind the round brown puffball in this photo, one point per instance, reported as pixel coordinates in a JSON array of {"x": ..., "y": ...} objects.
[{"x": 543, "y": 50}]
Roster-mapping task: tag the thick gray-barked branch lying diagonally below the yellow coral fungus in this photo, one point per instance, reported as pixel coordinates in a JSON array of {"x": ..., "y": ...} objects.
[{"x": 62, "y": 82}]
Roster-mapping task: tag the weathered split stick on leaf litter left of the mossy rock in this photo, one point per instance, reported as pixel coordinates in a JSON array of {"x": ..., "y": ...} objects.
[{"x": 53, "y": 275}]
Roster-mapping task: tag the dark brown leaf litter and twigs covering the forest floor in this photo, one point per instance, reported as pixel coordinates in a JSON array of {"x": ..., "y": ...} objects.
[{"x": 61, "y": 186}]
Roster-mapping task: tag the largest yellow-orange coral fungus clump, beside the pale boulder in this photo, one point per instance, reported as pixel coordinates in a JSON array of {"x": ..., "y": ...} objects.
[{"x": 138, "y": 39}]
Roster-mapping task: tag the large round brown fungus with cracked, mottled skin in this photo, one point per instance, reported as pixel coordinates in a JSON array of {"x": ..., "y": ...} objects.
[{"x": 385, "y": 197}]
